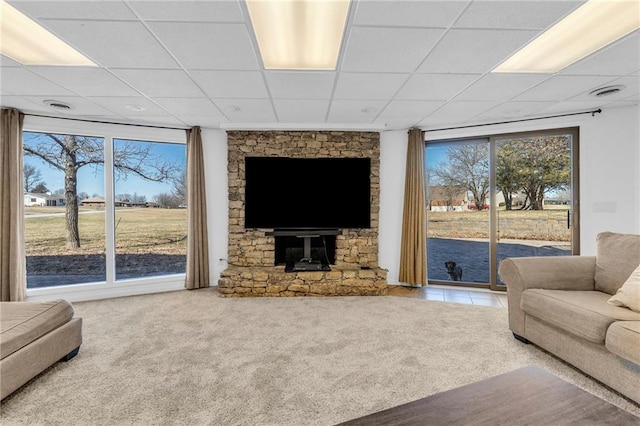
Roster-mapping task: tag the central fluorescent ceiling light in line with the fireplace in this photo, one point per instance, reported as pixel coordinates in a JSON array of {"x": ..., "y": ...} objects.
[{"x": 299, "y": 34}]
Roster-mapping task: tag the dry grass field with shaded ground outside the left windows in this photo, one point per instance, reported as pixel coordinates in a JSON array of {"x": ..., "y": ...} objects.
[{"x": 148, "y": 242}]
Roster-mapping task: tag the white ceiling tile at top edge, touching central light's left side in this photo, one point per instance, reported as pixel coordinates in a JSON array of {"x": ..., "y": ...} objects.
[{"x": 189, "y": 11}]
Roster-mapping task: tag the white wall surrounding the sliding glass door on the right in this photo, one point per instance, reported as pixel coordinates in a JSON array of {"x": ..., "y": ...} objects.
[{"x": 609, "y": 175}]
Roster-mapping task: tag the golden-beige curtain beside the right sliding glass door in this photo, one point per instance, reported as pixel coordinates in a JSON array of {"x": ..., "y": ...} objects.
[{"x": 413, "y": 250}]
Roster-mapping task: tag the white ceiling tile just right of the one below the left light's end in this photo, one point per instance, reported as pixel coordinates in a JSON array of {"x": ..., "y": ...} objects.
[{"x": 160, "y": 83}]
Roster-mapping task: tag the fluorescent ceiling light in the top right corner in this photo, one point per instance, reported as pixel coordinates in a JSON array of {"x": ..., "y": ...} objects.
[{"x": 592, "y": 26}]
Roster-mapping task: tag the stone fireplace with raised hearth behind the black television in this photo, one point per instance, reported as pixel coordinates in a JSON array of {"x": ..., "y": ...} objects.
[{"x": 257, "y": 257}]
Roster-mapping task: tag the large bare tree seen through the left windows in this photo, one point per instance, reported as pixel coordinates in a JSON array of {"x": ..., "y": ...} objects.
[{"x": 69, "y": 153}]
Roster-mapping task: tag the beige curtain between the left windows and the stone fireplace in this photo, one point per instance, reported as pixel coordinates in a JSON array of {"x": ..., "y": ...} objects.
[{"x": 197, "y": 239}]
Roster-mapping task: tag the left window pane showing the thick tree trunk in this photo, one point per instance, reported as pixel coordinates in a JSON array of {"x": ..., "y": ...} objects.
[{"x": 64, "y": 245}]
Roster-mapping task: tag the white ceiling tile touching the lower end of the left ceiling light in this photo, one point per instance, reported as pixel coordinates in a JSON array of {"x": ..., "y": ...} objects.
[{"x": 87, "y": 81}]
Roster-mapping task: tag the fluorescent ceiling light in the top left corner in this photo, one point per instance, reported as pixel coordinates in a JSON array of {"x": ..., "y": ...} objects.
[{"x": 25, "y": 41}]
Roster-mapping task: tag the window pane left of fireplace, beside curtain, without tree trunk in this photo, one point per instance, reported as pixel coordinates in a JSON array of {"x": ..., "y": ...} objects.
[{"x": 151, "y": 221}]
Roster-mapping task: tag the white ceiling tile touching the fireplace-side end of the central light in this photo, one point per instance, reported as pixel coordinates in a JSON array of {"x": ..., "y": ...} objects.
[{"x": 300, "y": 85}]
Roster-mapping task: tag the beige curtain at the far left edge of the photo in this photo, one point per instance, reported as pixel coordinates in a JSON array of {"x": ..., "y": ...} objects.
[{"x": 13, "y": 274}]
